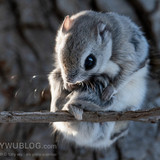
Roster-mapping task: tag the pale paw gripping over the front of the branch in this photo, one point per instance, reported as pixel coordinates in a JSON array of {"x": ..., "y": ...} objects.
[{"x": 75, "y": 110}]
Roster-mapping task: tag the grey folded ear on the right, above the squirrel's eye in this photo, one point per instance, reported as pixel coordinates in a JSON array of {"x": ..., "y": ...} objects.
[{"x": 103, "y": 32}]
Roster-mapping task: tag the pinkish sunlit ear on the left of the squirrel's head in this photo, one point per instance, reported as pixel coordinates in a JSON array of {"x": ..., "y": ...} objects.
[{"x": 67, "y": 24}]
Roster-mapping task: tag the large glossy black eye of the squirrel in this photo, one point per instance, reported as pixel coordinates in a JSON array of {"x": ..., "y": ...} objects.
[{"x": 90, "y": 62}]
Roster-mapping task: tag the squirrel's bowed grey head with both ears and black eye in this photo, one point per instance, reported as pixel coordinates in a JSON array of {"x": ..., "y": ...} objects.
[{"x": 83, "y": 46}]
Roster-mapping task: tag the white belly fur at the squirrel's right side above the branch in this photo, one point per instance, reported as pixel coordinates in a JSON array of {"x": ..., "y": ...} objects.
[{"x": 132, "y": 94}]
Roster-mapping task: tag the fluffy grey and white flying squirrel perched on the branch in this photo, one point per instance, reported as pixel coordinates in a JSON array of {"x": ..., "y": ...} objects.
[{"x": 101, "y": 65}]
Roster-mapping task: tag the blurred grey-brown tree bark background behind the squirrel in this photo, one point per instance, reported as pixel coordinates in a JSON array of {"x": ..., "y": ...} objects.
[{"x": 27, "y": 32}]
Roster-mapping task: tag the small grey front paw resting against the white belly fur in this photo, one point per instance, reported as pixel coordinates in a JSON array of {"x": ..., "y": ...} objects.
[{"x": 108, "y": 93}]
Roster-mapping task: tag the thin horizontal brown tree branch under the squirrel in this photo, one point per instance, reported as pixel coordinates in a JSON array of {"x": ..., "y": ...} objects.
[{"x": 152, "y": 115}]
